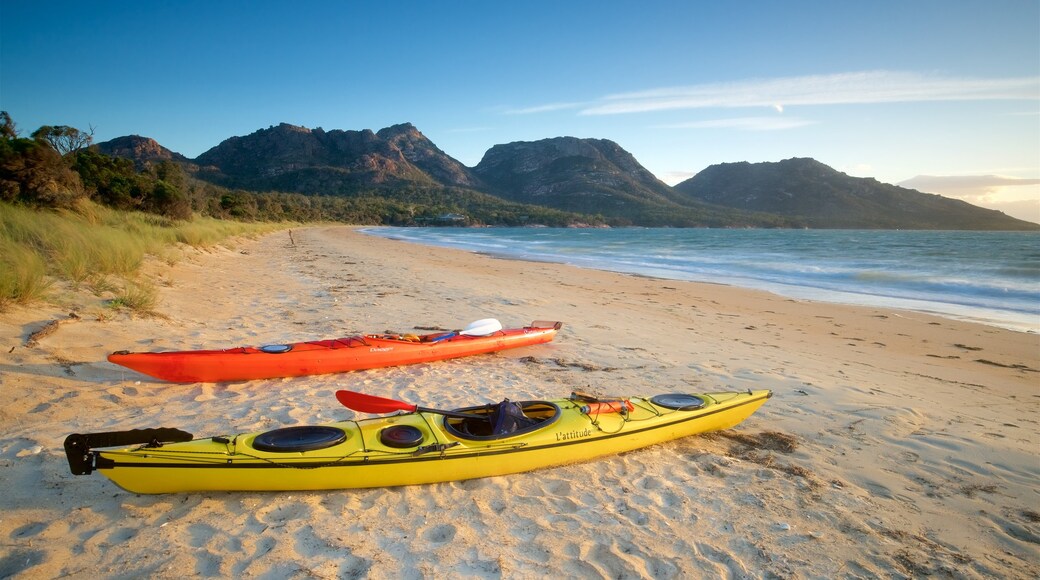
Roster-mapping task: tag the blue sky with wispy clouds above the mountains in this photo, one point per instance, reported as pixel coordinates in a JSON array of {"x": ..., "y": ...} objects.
[{"x": 941, "y": 96}]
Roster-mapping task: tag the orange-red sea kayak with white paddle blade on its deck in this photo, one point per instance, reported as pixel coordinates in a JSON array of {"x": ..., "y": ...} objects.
[{"x": 366, "y": 352}]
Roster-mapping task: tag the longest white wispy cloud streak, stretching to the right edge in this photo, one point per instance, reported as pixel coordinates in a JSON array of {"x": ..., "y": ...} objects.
[{"x": 862, "y": 88}]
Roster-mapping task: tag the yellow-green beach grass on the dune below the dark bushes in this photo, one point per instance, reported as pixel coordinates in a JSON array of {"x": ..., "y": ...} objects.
[{"x": 92, "y": 244}]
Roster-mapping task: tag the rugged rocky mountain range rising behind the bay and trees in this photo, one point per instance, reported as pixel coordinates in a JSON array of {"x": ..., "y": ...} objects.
[{"x": 585, "y": 177}]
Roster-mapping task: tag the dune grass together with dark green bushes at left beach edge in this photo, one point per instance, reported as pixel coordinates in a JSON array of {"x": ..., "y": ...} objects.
[{"x": 74, "y": 219}]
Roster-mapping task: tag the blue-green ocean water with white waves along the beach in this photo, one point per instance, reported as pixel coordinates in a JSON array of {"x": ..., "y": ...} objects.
[{"x": 985, "y": 277}]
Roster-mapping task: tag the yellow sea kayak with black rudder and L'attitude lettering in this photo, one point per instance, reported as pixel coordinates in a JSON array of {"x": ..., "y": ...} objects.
[{"x": 424, "y": 446}]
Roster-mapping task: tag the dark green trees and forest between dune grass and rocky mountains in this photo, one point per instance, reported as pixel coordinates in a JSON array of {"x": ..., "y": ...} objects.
[{"x": 57, "y": 167}]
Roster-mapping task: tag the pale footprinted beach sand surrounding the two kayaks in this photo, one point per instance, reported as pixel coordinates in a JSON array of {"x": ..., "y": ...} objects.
[{"x": 898, "y": 444}]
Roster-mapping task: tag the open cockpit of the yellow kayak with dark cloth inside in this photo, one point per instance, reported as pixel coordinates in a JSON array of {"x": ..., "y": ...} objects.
[{"x": 503, "y": 420}]
